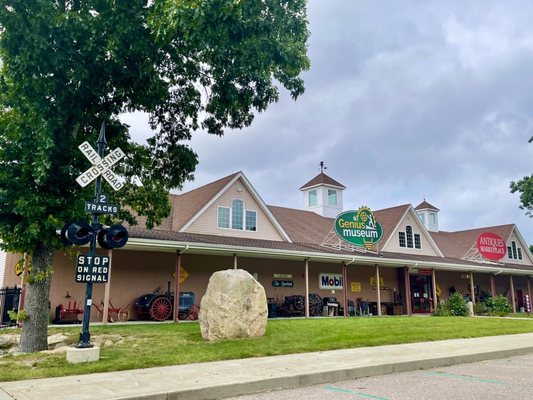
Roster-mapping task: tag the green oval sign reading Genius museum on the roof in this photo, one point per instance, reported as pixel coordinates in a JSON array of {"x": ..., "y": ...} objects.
[{"x": 359, "y": 228}]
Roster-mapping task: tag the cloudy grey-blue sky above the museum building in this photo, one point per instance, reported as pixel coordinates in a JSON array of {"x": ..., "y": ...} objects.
[{"x": 404, "y": 101}]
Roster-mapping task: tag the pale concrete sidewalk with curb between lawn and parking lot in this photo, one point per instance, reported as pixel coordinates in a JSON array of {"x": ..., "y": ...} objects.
[{"x": 215, "y": 380}]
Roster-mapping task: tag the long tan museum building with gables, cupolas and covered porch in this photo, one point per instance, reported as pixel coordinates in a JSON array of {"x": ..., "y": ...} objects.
[{"x": 306, "y": 267}]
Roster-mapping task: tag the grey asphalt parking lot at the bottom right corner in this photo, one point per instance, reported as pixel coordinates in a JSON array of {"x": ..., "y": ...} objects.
[{"x": 509, "y": 378}]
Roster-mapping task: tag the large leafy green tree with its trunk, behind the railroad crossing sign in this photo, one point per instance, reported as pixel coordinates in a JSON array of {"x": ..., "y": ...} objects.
[{"x": 68, "y": 65}]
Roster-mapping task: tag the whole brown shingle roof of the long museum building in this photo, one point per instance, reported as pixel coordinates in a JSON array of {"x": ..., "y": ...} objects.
[{"x": 308, "y": 230}]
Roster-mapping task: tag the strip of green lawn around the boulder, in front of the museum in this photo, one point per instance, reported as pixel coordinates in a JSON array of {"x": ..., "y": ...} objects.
[{"x": 151, "y": 345}]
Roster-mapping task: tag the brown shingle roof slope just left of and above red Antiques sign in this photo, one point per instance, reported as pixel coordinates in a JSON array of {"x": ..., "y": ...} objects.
[{"x": 457, "y": 244}]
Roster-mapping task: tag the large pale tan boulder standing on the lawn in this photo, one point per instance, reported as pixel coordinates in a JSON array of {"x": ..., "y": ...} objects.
[{"x": 234, "y": 306}]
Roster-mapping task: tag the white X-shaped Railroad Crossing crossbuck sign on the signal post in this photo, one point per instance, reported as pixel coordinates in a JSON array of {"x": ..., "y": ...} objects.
[{"x": 101, "y": 166}]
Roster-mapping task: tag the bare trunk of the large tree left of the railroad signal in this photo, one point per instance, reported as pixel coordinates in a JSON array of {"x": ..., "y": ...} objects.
[{"x": 37, "y": 306}]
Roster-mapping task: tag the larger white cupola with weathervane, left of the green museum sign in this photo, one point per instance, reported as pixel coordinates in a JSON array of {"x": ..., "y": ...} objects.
[{"x": 323, "y": 195}]
